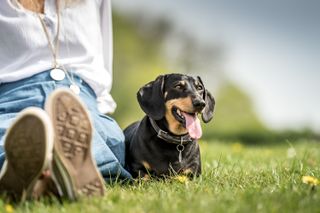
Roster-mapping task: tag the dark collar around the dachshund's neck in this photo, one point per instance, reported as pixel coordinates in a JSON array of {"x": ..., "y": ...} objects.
[{"x": 168, "y": 137}]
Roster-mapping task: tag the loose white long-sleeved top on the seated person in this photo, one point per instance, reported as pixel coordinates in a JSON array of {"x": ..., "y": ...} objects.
[{"x": 85, "y": 44}]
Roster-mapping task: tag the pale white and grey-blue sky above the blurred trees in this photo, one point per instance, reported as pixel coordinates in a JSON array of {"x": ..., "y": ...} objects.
[{"x": 273, "y": 49}]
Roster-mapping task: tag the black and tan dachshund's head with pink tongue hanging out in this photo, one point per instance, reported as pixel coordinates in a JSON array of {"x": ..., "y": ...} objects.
[{"x": 179, "y": 99}]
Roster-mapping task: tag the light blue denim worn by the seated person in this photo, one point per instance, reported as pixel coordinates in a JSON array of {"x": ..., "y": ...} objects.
[{"x": 108, "y": 146}]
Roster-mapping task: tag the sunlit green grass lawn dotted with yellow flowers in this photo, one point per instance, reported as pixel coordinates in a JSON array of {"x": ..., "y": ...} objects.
[{"x": 236, "y": 178}]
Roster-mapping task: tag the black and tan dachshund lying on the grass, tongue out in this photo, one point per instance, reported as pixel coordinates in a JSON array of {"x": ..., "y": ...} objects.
[{"x": 165, "y": 141}]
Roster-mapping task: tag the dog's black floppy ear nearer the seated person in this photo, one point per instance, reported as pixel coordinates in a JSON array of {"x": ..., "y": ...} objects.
[{"x": 151, "y": 99}]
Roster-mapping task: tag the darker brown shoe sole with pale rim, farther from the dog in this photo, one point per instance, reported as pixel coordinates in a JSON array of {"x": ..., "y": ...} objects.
[{"x": 28, "y": 147}]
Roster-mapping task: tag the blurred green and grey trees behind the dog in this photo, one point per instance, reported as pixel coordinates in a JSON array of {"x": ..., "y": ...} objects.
[{"x": 146, "y": 47}]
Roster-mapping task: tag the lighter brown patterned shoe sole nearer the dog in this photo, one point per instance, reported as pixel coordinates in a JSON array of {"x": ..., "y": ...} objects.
[{"x": 73, "y": 167}]
